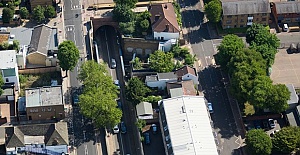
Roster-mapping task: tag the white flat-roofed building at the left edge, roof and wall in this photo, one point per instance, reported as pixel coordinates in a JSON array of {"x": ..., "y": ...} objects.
[{"x": 9, "y": 68}]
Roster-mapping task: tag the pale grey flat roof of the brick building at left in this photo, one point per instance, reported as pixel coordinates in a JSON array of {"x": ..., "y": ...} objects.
[{"x": 44, "y": 96}]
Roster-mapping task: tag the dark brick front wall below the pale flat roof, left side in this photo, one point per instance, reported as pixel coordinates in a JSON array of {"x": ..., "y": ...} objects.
[{"x": 46, "y": 112}]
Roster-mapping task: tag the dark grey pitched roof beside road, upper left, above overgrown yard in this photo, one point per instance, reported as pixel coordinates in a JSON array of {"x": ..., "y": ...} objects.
[{"x": 43, "y": 39}]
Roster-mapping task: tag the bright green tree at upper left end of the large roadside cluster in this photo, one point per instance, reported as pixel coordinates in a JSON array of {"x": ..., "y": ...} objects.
[{"x": 230, "y": 45}]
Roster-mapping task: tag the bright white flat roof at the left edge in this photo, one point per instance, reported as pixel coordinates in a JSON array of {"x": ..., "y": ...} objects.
[{"x": 7, "y": 59}]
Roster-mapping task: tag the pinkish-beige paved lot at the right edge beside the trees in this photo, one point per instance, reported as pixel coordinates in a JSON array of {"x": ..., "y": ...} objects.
[{"x": 286, "y": 68}]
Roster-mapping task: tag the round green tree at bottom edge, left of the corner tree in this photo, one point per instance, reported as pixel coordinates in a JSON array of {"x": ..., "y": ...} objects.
[{"x": 258, "y": 142}]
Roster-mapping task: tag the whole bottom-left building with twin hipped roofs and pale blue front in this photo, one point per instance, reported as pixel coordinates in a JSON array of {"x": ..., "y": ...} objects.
[{"x": 37, "y": 139}]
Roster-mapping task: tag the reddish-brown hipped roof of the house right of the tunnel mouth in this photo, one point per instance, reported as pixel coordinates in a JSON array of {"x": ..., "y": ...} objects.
[{"x": 163, "y": 18}]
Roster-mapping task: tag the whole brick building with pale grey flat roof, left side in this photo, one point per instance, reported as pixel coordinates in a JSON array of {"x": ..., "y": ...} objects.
[{"x": 44, "y": 103}]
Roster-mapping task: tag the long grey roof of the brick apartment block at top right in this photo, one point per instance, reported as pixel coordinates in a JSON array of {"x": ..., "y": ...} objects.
[{"x": 243, "y": 7}]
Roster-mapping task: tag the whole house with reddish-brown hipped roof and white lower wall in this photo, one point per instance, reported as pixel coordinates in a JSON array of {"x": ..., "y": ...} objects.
[{"x": 163, "y": 22}]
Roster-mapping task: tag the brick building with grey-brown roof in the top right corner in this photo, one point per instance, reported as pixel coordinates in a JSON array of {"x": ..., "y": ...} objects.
[{"x": 286, "y": 11}]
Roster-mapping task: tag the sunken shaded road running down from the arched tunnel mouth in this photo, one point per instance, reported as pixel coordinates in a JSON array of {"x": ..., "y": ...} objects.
[{"x": 108, "y": 48}]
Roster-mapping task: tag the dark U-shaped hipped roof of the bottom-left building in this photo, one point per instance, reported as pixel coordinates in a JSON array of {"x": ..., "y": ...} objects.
[{"x": 55, "y": 134}]
